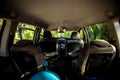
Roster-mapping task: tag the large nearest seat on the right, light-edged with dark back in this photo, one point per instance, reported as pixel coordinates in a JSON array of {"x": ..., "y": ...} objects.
[{"x": 95, "y": 59}]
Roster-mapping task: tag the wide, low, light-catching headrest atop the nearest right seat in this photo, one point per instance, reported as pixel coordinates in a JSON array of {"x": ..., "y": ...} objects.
[{"x": 100, "y": 43}]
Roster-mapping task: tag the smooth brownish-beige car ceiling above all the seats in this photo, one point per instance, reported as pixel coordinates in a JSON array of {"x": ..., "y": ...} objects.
[{"x": 56, "y": 13}]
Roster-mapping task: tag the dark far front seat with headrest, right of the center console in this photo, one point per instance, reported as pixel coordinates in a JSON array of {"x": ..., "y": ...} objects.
[{"x": 75, "y": 44}]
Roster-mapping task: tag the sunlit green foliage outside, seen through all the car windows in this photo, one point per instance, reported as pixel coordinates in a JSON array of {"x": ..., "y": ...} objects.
[{"x": 97, "y": 31}]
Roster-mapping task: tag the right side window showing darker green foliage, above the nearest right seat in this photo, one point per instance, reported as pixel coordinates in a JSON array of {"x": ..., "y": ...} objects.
[{"x": 98, "y": 31}]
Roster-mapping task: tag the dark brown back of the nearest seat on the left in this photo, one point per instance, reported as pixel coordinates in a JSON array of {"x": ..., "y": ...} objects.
[{"x": 27, "y": 57}]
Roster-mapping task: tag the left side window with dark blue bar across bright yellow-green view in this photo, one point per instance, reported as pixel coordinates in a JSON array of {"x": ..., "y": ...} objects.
[{"x": 24, "y": 32}]
